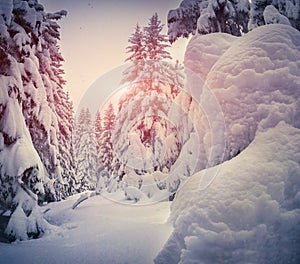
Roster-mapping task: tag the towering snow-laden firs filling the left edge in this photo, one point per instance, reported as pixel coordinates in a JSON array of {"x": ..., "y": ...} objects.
[{"x": 36, "y": 158}]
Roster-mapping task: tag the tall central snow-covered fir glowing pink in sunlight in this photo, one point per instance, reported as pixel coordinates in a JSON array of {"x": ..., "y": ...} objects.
[{"x": 144, "y": 139}]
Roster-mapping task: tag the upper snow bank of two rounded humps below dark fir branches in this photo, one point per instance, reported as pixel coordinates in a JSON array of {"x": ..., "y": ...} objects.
[{"x": 256, "y": 81}]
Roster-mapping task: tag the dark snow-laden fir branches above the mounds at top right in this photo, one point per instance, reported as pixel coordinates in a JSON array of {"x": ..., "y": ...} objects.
[{"x": 234, "y": 17}]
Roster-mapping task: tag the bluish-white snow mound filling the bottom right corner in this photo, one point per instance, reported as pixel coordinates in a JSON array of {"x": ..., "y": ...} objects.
[{"x": 249, "y": 214}]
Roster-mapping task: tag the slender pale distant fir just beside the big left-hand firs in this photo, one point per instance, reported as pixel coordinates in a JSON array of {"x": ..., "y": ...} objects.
[{"x": 85, "y": 146}]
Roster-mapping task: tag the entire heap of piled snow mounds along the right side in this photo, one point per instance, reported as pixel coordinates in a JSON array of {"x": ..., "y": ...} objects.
[{"x": 250, "y": 213}]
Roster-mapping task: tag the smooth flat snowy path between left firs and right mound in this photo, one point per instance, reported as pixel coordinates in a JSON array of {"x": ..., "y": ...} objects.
[{"x": 97, "y": 231}]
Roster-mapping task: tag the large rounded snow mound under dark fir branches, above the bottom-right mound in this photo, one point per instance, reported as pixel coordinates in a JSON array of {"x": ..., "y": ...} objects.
[{"x": 257, "y": 83}]
